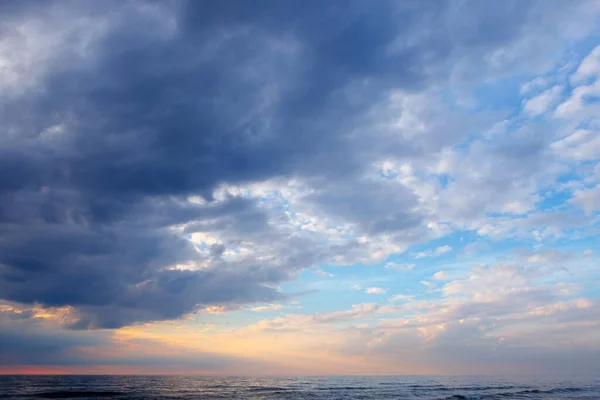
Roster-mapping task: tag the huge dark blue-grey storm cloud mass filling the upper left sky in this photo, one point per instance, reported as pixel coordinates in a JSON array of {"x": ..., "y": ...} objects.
[{"x": 171, "y": 99}]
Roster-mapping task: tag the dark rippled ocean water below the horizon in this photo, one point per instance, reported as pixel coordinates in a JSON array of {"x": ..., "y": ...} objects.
[{"x": 266, "y": 388}]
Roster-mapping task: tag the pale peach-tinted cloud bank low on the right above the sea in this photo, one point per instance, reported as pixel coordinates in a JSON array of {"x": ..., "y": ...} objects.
[{"x": 500, "y": 312}]
